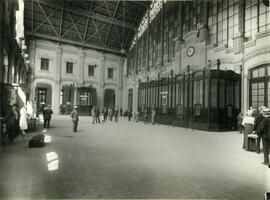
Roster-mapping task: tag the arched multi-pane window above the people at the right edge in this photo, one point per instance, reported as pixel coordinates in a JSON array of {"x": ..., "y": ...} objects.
[{"x": 259, "y": 94}]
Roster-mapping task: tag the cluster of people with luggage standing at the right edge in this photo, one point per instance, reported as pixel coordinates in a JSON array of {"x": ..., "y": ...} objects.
[{"x": 256, "y": 123}]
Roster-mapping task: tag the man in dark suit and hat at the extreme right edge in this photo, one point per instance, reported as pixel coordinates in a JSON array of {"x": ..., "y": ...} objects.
[{"x": 266, "y": 134}]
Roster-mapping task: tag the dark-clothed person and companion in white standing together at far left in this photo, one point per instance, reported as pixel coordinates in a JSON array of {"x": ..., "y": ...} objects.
[{"x": 16, "y": 122}]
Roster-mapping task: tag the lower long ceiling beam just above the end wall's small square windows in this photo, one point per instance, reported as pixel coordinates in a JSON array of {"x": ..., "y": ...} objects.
[{"x": 72, "y": 42}]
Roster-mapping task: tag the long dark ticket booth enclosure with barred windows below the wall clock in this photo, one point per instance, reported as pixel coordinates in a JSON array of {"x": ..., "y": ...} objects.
[{"x": 200, "y": 99}]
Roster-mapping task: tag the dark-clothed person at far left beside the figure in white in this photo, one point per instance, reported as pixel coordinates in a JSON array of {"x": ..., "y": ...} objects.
[{"x": 12, "y": 122}]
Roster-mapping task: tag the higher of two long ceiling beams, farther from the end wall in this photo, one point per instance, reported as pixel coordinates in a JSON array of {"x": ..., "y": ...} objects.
[{"x": 87, "y": 13}]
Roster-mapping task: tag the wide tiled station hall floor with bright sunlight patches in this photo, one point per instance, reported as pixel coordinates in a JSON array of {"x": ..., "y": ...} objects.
[{"x": 132, "y": 160}]
